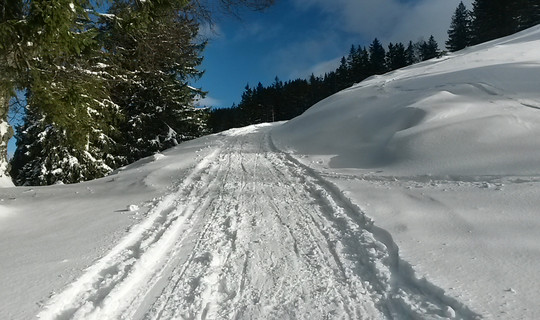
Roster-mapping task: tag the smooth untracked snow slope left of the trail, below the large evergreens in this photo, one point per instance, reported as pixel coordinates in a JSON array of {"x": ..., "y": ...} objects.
[{"x": 49, "y": 235}]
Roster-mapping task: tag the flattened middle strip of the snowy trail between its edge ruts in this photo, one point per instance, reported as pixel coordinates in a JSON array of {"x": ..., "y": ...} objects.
[{"x": 275, "y": 267}]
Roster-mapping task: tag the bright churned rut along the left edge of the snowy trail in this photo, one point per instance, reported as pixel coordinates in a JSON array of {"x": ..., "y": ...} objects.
[{"x": 123, "y": 276}]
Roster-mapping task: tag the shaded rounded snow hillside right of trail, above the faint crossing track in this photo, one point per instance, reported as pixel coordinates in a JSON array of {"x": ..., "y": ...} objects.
[{"x": 474, "y": 112}]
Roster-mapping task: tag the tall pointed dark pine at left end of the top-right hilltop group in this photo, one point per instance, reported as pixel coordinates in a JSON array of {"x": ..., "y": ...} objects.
[{"x": 459, "y": 34}]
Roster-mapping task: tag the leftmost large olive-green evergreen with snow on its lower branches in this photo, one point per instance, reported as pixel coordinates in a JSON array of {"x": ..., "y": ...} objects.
[{"x": 59, "y": 68}]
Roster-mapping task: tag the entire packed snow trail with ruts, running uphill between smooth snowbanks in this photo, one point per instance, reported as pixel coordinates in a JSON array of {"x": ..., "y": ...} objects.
[{"x": 251, "y": 233}]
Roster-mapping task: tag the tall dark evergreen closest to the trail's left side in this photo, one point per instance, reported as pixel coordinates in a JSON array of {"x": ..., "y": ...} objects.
[{"x": 152, "y": 47}]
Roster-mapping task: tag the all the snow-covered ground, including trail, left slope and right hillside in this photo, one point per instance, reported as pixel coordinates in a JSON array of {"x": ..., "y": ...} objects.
[{"x": 433, "y": 169}]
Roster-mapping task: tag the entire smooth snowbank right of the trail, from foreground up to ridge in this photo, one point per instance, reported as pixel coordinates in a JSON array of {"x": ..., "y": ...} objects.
[{"x": 445, "y": 156}]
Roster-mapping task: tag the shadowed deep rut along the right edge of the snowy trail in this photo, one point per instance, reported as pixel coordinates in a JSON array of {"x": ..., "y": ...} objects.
[{"x": 371, "y": 253}]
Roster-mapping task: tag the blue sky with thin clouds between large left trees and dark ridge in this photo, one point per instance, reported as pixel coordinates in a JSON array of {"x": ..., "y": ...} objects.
[{"x": 295, "y": 38}]
